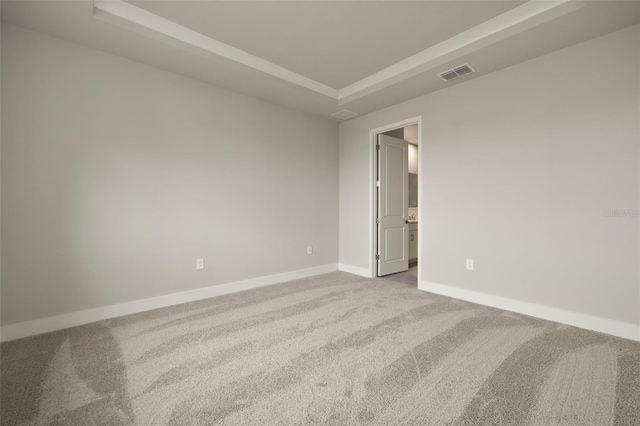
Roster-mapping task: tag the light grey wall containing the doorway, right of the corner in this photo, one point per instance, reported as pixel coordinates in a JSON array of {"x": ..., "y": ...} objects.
[{"x": 518, "y": 168}]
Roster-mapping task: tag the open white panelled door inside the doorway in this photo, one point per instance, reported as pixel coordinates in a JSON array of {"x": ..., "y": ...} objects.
[{"x": 393, "y": 201}]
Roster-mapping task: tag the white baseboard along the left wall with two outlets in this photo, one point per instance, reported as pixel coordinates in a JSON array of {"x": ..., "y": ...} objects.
[{"x": 59, "y": 322}]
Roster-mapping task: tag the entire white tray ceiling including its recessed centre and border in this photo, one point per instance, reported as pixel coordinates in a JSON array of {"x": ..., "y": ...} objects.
[{"x": 322, "y": 57}]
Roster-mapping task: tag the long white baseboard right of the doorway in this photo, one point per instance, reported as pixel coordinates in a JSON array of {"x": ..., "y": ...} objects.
[{"x": 603, "y": 325}]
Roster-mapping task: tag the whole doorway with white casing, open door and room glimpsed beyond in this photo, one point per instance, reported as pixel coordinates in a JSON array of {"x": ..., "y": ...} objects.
[{"x": 395, "y": 208}]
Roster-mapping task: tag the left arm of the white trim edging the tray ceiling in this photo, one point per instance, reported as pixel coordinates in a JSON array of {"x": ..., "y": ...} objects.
[{"x": 117, "y": 11}]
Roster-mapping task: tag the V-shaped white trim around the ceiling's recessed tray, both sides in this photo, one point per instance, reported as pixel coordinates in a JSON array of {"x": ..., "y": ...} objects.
[{"x": 514, "y": 21}]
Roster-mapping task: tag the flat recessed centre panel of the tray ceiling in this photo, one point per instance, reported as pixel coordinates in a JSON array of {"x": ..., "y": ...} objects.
[{"x": 335, "y": 43}]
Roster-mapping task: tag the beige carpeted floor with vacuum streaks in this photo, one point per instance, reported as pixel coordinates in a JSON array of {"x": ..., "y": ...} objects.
[{"x": 333, "y": 349}]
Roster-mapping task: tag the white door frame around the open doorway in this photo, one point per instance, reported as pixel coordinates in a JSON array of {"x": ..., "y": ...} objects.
[{"x": 373, "y": 197}]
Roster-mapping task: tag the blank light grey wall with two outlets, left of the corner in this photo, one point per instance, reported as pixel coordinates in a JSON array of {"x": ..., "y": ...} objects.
[{"x": 116, "y": 176}]
